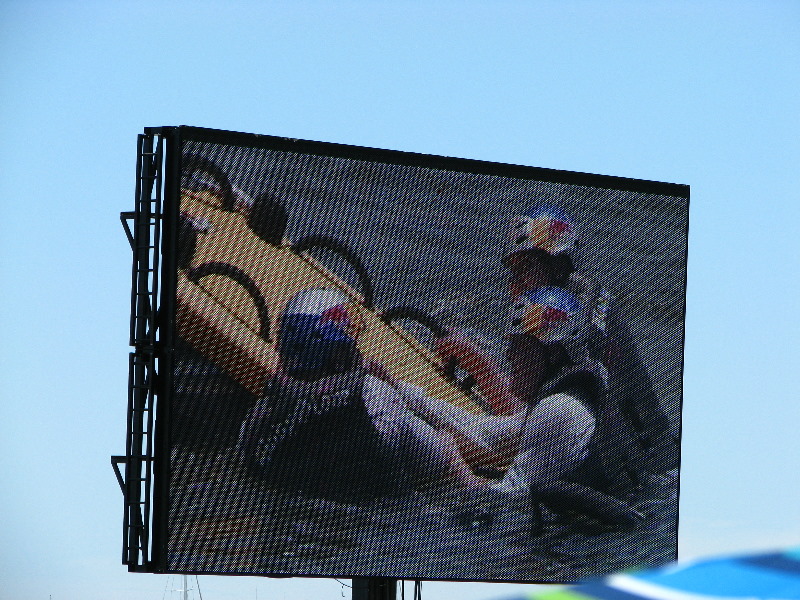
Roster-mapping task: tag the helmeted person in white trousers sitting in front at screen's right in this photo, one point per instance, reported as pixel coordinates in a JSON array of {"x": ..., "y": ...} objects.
[{"x": 547, "y": 421}]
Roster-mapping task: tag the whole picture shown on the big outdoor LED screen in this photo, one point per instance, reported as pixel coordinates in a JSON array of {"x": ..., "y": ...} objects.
[{"x": 402, "y": 371}]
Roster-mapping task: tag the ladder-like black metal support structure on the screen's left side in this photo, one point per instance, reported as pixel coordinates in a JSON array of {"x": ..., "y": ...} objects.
[{"x": 145, "y": 240}]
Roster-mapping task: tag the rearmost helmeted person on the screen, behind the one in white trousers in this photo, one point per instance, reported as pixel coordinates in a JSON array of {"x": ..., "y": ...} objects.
[{"x": 632, "y": 428}]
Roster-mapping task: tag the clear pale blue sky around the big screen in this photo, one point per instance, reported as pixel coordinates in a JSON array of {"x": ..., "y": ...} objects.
[{"x": 695, "y": 92}]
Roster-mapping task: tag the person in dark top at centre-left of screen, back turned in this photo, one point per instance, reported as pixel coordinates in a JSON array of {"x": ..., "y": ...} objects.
[{"x": 334, "y": 425}]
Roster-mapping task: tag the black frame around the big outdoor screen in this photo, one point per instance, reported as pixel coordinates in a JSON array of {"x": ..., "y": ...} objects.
[{"x": 174, "y": 138}]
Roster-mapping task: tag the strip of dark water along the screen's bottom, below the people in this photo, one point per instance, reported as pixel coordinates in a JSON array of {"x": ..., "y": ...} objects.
[{"x": 226, "y": 521}]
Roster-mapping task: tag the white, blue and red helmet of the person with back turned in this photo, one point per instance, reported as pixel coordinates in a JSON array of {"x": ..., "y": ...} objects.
[{"x": 316, "y": 334}]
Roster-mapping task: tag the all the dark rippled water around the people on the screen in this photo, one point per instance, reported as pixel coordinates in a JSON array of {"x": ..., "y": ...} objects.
[{"x": 434, "y": 241}]
